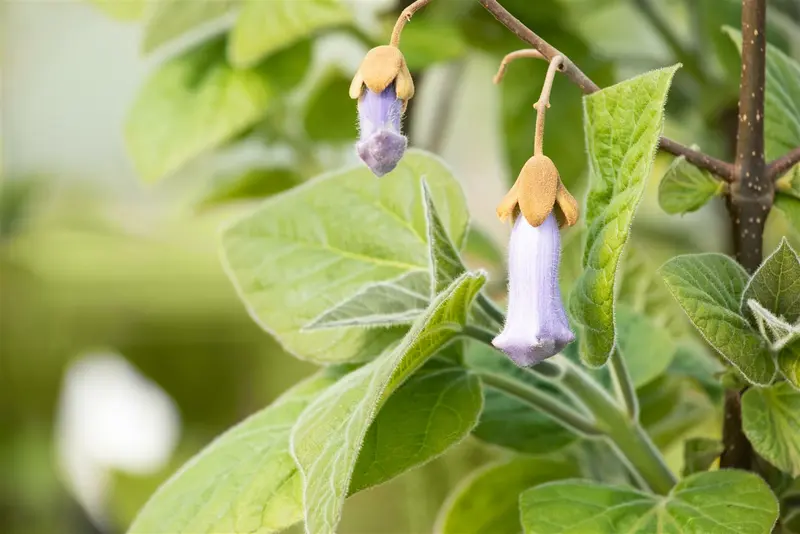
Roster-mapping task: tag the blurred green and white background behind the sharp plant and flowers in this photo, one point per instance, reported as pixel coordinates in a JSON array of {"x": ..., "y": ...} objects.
[{"x": 99, "y": 268}]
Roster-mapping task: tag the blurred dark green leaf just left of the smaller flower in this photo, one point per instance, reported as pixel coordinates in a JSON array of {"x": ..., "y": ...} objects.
[{"x": 330, "y": 113}]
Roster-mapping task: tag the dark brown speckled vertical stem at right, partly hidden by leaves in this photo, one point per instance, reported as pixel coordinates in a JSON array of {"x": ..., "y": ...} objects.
[{"x": 751, "y": 196}]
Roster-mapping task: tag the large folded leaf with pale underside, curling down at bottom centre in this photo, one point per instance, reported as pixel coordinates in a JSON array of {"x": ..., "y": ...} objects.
[{"x": 329, "y": 434}]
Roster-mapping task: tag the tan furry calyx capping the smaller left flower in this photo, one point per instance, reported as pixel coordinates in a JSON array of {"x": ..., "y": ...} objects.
[{"x": 381, "y": 66}]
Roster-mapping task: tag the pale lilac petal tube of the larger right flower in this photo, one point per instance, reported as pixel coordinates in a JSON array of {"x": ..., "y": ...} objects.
[{"x": 536, "y": 326}]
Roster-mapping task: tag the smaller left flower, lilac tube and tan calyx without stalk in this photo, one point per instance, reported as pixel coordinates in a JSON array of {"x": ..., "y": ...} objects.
[{"x": 383, "y": 86}]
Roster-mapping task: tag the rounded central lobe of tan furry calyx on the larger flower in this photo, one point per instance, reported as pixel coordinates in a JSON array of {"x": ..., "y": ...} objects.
[{"x": 537, "y": 188}]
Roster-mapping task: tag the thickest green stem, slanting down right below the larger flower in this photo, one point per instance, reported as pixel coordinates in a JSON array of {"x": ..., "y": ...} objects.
[{"x": 625, "y": 434}]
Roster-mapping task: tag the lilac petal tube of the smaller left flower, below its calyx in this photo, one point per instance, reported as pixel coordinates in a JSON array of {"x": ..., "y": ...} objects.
[{"x": 381, "y": 144}]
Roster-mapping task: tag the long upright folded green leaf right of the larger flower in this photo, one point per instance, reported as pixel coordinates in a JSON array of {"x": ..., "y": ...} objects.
[{"x": 623, "y": 124}]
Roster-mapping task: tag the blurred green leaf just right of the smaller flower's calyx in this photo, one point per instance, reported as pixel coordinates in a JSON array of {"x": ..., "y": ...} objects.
[{"x": 429, "y": 41}]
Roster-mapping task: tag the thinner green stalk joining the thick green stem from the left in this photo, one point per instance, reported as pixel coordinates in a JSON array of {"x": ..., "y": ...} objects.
[{"x": 562, "y": 414}]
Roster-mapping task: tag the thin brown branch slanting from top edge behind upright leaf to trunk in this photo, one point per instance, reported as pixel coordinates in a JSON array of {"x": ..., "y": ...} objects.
[{"x": 575, "y": 75}]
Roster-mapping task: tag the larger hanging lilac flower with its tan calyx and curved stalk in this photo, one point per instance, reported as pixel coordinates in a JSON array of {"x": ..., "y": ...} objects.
[{"x": 536, "y": 326}]
